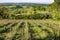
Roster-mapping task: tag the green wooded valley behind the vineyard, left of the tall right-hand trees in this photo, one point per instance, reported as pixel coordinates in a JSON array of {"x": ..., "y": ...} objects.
[{"x": 24, "y": 12}]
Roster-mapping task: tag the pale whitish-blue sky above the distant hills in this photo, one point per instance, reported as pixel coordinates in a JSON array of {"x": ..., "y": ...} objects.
[{"x": 28, "y": 1}]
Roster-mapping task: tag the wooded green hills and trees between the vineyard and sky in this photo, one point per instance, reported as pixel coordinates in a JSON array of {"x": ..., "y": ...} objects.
[{"x": 30, "y": 11}]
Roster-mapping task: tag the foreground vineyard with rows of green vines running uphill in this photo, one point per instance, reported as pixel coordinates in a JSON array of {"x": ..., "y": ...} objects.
[{"x": 29, "y": 30}]
